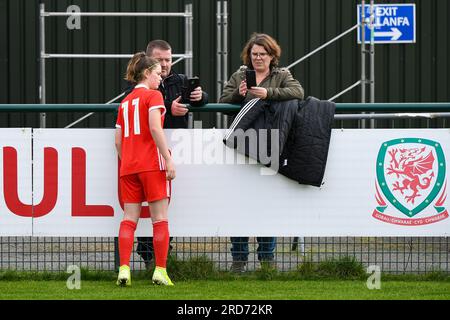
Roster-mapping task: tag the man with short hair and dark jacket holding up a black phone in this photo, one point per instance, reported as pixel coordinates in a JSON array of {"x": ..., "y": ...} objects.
[{"x": 174, "y": 88}]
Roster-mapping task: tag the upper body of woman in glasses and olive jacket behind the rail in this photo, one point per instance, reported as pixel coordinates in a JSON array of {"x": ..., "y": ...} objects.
[{"x": 262, "y": 54}]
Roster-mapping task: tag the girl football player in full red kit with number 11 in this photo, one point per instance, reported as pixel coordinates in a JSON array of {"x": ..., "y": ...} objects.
[{"x": 146, "y": 164}]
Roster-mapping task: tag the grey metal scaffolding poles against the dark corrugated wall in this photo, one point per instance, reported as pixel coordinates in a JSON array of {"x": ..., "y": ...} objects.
[{"x": 221, "y": 53}]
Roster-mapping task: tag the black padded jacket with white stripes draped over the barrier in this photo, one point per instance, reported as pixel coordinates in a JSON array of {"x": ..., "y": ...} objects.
[{"x": 304, "y": 132}]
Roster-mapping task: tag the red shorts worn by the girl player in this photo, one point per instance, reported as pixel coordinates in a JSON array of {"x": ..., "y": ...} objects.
[{"x": 147, "y": 186}]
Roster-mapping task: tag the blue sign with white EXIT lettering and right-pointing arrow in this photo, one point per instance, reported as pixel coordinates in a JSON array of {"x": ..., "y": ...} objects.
[{"x": 393, "y": 23}]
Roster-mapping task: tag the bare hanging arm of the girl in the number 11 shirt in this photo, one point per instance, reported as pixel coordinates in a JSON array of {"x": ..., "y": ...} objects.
[{"x": 156, "y": 130}]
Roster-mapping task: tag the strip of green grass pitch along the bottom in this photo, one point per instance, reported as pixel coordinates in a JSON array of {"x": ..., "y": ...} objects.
[{"x": 239, "y": 289}]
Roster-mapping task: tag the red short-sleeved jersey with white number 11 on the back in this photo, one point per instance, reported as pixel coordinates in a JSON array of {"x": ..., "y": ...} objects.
[{"x": 139, "y": 151}]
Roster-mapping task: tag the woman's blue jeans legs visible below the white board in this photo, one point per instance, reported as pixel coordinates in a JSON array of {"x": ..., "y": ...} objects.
[{"x": 239, "y": 248}]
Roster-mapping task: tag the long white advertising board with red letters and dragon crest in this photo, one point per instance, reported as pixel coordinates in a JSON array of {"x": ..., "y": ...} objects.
[{"x": 377, "y": 183}]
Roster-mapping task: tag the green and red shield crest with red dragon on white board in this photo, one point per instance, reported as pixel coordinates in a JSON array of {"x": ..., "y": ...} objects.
[{"x": 411, "y": 182}]
